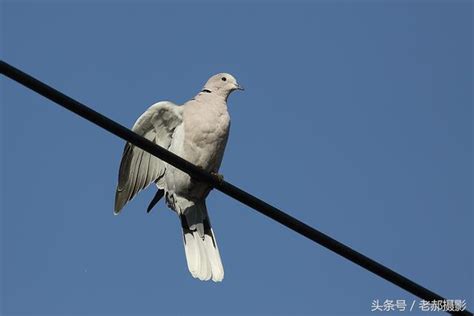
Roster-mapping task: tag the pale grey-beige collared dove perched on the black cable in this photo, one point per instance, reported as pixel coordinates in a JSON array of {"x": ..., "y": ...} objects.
[{"x": 197, "y": 131}]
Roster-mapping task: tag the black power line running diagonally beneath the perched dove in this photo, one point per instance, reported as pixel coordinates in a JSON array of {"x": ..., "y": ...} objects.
[{"x": 223, "y": 186}]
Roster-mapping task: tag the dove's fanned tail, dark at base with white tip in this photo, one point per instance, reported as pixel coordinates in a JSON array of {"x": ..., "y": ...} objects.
[{"x": 200, "y": 246}]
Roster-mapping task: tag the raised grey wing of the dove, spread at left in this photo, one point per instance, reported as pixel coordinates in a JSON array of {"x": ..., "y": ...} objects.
[{"x": 138, "y": 168}]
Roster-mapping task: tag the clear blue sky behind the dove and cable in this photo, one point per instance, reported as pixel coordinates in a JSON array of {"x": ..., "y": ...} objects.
[{"x": 357, "y": 119}]
